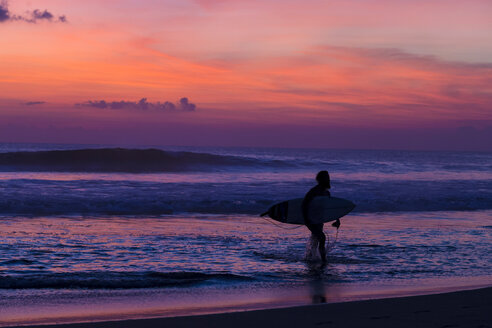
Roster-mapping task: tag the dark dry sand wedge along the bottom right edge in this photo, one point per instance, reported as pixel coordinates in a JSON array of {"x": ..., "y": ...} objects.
[{"x": 470, "y": 308}]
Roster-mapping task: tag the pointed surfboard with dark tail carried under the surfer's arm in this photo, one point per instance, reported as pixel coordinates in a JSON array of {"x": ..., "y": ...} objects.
[{"x": 321, "y": 209}]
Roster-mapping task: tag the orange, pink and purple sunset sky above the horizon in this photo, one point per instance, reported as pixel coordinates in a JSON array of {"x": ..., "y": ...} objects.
[{"x": 363, "y": 74}]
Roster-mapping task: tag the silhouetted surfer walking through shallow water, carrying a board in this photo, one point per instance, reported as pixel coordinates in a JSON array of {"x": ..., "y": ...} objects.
[{"x": 321, "y": 189}]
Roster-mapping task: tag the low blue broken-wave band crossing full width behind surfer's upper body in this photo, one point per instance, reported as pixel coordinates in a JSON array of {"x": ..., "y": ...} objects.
[{"x": 97, "y": 197}]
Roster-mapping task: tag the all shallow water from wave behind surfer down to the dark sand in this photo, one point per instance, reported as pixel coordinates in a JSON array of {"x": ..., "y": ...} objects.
[{"x": 76, "y": 269}]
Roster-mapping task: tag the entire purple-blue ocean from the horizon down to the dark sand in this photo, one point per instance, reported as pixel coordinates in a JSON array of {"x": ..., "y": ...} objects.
[{"x": 176, "y": 230}]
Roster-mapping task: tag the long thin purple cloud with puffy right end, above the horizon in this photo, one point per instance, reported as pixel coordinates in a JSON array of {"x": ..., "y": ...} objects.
[{"x": 183, "y": 105}]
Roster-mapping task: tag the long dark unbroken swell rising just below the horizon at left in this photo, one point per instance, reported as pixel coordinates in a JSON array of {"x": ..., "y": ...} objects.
[{"x": 125, "y": 160}]
